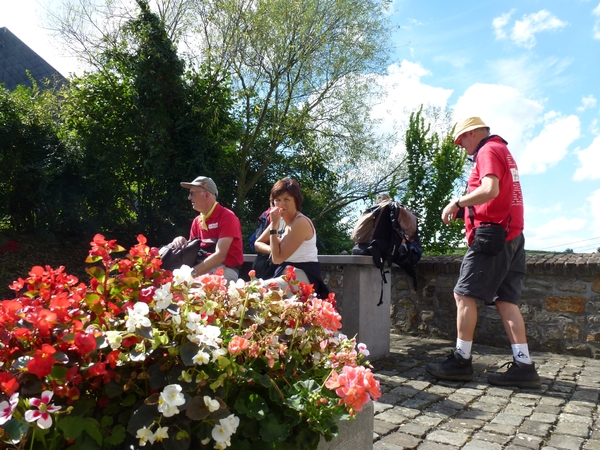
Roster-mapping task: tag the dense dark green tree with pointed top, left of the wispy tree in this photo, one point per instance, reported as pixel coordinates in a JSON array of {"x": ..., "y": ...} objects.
[{"x": 142, "y": 124}]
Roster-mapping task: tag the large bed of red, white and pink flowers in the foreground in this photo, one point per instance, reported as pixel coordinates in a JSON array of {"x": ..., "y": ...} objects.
[{"x": 144, "y": 357}]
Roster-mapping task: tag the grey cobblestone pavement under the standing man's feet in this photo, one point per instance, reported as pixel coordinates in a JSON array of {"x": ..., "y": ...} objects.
[{"x": 417, "y": 411}]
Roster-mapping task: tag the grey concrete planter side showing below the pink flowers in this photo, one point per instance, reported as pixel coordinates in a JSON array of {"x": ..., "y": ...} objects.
[{"x": 354, "y": 434}]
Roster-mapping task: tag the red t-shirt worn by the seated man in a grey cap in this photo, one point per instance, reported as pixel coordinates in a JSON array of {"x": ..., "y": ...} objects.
[{"x": 221, "y": 223}]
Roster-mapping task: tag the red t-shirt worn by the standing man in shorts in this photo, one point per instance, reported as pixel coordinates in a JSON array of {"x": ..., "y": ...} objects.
[{"x": 494, "y": 158}]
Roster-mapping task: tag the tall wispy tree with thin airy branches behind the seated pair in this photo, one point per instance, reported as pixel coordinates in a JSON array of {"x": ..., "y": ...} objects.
[{"x": 299, "y": 73}]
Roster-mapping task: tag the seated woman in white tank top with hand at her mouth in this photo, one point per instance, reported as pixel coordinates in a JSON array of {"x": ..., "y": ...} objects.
[{"x": 298, "y": 245}]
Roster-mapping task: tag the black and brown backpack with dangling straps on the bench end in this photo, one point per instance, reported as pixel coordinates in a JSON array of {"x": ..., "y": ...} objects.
[{"x": 389, "y": 233}]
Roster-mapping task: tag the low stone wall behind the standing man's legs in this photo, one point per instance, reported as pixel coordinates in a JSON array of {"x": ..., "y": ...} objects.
[{"x": 560, "y": 304}]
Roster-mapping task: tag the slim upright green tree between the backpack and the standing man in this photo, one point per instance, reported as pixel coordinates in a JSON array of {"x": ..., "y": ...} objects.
[{"x": 435, "y": 168}]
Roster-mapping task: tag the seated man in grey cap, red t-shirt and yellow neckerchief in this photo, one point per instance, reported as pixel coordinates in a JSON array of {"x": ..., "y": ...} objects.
[{"x": 218, "y": 229}]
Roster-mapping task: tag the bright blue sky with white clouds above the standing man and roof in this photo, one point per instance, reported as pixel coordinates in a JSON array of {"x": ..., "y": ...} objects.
[{"x": 528, "y": 68}]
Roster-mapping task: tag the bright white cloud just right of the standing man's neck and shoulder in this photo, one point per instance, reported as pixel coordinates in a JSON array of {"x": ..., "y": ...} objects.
[{"x": 551, "y": 145}]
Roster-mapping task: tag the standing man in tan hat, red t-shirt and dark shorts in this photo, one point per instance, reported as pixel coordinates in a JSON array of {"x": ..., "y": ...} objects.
[{"x": 494, "y": 276}]
